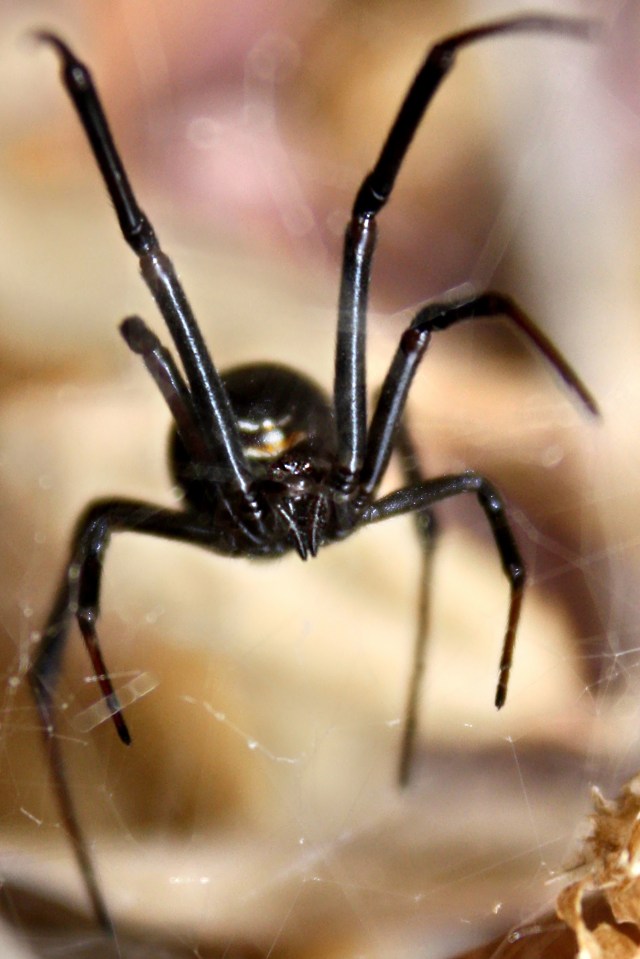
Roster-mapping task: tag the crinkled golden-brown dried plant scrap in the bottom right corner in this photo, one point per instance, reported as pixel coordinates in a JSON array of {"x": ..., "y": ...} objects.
[{"x": 611, "y": 865}]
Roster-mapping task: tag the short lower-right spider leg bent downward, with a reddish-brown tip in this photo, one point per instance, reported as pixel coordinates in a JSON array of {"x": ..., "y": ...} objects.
[{"x": 421, "y": 496}]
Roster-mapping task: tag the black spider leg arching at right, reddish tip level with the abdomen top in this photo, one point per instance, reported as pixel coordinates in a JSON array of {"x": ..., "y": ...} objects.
[{"x": 433, "y": 318}]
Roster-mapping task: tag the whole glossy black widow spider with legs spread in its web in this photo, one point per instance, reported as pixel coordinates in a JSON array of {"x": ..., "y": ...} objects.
[{"x": 266, "y": 461}]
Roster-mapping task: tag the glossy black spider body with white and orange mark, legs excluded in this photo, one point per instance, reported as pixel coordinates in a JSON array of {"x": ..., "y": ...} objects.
[{"x": 287, "y": 433}]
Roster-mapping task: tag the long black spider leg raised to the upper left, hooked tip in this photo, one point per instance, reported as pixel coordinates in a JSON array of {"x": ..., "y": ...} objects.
[{"x": 210, "y": 401}]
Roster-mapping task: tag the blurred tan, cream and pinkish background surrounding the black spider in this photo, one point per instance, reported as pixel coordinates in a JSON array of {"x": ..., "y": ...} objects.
[{"x": 257, "y": 811}]
